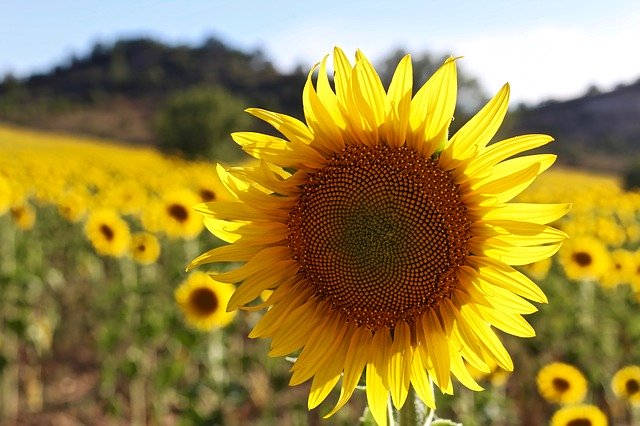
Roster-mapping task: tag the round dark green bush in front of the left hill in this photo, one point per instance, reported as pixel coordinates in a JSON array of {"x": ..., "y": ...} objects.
[{"x": 198, "y": 122}]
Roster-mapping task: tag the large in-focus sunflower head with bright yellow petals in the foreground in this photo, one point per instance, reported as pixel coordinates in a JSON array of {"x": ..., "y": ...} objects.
[{"x": 388, "y": 244}]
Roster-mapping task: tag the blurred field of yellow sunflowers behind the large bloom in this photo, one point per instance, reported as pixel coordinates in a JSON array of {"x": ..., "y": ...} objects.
[{"x": 98, "y": 324}]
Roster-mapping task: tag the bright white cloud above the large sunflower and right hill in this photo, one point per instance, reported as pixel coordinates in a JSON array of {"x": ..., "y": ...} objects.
[{"x": 545, "y": 61}]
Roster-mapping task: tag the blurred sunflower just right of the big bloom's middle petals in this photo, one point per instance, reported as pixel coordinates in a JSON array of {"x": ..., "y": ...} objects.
[{"x": 584, "y": 258}]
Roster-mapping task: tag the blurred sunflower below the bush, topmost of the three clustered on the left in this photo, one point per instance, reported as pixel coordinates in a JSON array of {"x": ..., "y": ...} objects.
[{"x": 179, "y": 219}]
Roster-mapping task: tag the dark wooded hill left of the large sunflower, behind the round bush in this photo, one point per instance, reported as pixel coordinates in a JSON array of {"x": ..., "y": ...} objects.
[{"x": 115, "y": 91}]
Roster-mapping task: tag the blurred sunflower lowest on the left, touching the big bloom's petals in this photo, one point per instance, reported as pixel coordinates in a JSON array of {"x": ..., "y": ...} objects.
[{"x": 203, "y": 301}]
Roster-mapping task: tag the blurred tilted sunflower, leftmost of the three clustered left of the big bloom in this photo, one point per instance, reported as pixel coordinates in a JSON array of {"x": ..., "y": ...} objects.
[{"x": 108, "y": 232}]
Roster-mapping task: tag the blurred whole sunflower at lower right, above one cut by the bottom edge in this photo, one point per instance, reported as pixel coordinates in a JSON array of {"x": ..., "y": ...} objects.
[{"x": 561, "y": 383}]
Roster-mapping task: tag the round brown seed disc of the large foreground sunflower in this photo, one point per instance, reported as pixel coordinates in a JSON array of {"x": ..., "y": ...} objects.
[{"x": 380, "y": 233}]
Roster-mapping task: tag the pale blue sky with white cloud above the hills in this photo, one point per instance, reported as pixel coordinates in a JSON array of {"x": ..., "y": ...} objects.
[{"x": 545, "y": 49}]
